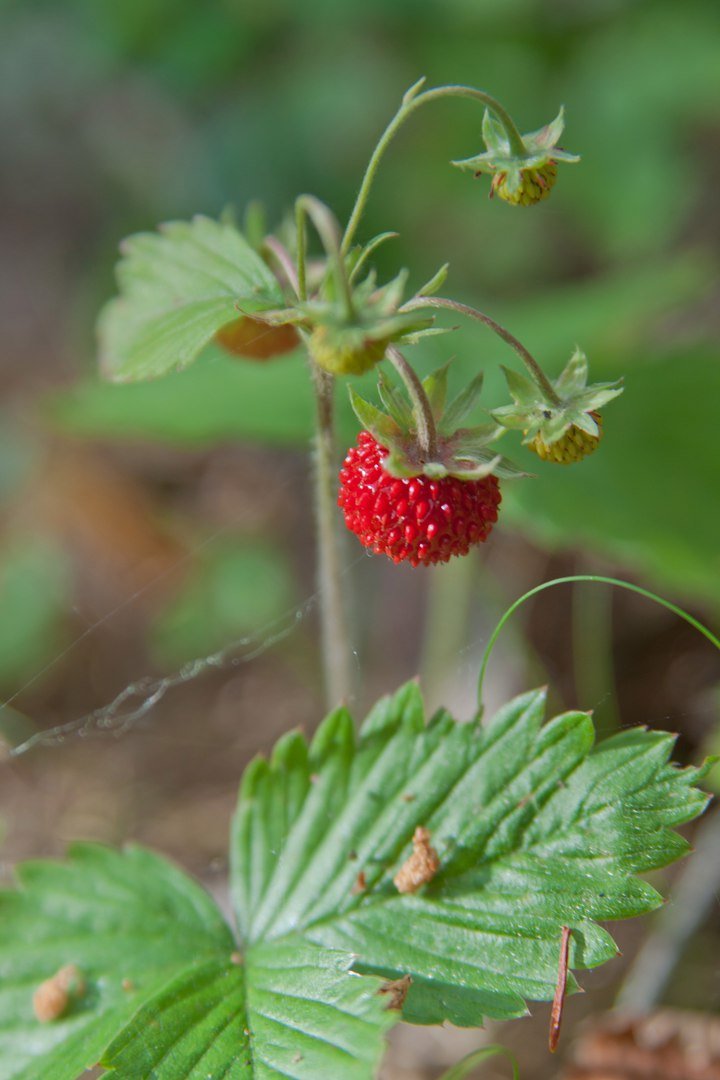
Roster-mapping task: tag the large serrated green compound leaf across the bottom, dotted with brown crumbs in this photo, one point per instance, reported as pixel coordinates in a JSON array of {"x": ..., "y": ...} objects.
[{"x": 535, "y": 829}]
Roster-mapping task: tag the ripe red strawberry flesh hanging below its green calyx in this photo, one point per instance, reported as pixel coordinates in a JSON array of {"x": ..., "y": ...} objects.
[{"x": 418, "y": 520}]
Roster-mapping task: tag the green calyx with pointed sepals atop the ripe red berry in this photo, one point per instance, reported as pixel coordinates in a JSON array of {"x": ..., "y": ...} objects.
[{"x": 465, "y": 453}]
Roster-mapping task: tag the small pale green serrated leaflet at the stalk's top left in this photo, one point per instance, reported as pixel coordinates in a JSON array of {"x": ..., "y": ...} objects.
[{"x": 178, "y": 288}]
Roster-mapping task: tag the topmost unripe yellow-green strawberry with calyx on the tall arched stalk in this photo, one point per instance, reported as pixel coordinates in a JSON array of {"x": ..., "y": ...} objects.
[{"x": 520, "y": 178}]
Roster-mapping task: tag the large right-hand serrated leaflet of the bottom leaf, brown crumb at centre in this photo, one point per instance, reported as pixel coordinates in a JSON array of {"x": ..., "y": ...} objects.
[{"x": 535, "y": 830}]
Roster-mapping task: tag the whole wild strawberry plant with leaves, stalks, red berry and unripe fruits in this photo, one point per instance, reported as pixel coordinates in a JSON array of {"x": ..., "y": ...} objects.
[{"x": 417, "y": 868}]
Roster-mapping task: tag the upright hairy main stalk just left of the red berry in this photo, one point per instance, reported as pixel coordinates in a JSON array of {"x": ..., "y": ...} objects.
[{"x": 334, "y": 626}]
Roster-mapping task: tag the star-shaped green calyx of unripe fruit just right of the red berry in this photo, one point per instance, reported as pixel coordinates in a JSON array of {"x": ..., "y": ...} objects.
[{"x": 538, "y": 413}]
